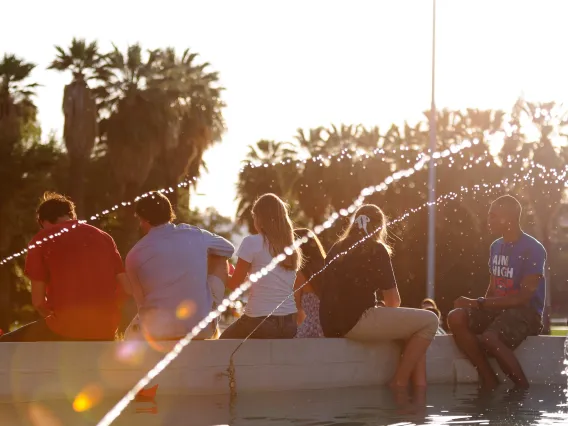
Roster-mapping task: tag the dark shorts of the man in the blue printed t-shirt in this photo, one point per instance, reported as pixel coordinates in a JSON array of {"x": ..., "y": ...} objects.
[{"x": 512, "y": 325}]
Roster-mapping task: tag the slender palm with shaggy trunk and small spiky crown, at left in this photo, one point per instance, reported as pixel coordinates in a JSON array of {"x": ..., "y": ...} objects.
[{"x": 80, "y": 110}]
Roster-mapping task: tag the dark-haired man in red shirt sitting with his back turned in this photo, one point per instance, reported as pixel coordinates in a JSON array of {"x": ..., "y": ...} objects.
[{"x": 77, "y": 275}]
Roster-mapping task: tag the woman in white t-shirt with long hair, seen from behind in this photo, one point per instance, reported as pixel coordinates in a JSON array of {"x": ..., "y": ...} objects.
[{"x": 275, "y": 233}]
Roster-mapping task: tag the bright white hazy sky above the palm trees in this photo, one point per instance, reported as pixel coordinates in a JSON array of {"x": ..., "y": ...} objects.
[{"x": 303, "y": 64}]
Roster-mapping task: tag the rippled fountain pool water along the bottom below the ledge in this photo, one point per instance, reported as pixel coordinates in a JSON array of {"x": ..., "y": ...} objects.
[{"x": 440, "y": 405}]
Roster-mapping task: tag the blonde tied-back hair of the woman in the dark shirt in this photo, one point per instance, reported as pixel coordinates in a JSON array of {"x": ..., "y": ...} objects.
[{"x": 376, "y": 226}]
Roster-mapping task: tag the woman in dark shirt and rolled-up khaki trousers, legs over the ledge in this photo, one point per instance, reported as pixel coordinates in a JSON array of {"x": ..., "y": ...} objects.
[{"x": 357, "y": 267}]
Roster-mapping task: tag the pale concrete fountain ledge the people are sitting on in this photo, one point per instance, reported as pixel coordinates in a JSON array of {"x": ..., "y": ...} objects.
[{"x": 33, "y": 371}]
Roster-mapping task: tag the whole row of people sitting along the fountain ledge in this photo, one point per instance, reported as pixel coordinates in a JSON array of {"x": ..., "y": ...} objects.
[{"x": 178, "y": 273}]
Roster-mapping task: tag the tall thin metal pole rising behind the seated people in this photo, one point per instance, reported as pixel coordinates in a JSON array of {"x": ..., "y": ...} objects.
[{"x": 431, "y": 267}]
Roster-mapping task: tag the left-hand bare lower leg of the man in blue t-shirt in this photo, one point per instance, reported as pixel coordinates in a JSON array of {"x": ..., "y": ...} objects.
[{"x": 471, "y": 347}]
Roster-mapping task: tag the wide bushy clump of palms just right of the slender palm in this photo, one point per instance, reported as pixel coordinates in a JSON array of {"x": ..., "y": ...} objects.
[{"x": 163, "y": 111}]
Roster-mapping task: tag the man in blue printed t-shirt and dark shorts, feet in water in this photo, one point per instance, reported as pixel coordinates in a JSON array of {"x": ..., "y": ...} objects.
[{"x": 512, "y": 307}]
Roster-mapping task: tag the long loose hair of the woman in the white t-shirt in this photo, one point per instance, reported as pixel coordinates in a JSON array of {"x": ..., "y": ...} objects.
[{"x": 271, "y": 217}]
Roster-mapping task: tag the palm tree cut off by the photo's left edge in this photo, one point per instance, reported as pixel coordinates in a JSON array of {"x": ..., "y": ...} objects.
[{"x": 24, "y": 170}]
